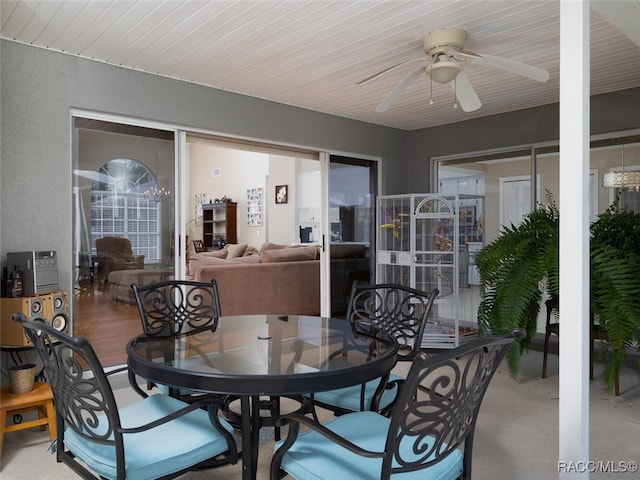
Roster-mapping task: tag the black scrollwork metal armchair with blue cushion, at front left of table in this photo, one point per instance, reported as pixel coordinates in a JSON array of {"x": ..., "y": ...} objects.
[{"x": 156, "y": 437}]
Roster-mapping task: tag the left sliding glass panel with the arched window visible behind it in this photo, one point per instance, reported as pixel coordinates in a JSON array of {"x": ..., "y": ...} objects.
[{"x": 123, "y": 229}]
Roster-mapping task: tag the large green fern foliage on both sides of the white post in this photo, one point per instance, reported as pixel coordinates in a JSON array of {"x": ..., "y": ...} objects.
[{"x": 522, "y": 264}]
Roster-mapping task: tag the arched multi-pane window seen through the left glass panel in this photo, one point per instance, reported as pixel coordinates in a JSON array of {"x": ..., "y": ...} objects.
[{"x": 119, "y": 207}]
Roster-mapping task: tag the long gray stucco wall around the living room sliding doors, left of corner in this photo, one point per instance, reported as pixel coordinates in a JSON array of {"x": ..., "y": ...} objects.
[{"x": 39, "y": 87}]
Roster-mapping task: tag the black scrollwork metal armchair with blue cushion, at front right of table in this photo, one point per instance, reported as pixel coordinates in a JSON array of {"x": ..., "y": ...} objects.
[{"x": 429, "y": 434}]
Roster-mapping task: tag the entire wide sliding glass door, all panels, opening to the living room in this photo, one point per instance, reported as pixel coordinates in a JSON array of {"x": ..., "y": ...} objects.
[{"x": 125, "y": 213}]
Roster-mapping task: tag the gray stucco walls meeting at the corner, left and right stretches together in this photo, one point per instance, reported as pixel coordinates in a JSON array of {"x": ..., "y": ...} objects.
[{"x": 38, "y": 88}]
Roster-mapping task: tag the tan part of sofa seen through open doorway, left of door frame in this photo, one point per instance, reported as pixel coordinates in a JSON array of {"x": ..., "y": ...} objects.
[{"x": 272, "y": 280}]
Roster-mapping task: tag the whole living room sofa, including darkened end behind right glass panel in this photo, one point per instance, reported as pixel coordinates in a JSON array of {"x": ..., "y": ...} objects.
[{"x": 279, "y": 279}]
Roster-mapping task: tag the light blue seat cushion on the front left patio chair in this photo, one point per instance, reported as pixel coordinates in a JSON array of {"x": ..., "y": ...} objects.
[{"x": 193, "y": 440}]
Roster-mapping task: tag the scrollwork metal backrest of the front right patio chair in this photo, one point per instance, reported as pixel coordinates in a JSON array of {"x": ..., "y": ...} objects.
[{"x": 439, "y": 402}]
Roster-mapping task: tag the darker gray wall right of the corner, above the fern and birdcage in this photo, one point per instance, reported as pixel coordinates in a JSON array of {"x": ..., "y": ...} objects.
[{"x": 612, "y": 112}]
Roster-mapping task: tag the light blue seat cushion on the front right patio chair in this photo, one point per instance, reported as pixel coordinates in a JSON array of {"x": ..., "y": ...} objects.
[{"x": 313, "y": 457}]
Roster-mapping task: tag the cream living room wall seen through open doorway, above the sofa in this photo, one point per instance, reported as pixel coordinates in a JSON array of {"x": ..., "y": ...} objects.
[{"x": 277, "y": 190}]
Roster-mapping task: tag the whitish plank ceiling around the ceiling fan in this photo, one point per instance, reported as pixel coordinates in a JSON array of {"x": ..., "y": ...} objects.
[{"x": 312, "y": 53}]
